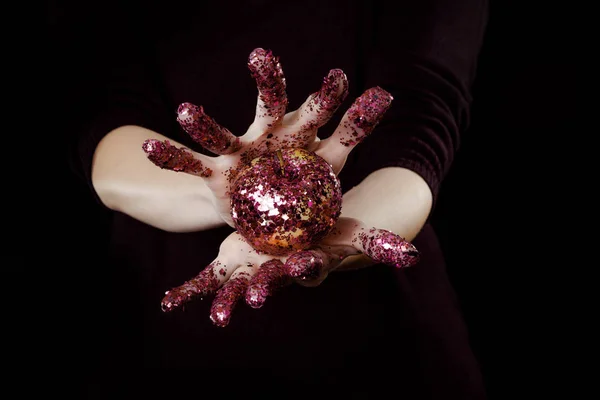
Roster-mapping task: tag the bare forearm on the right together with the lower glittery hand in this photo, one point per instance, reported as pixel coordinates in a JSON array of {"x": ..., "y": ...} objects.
[{"x": 239, "y": 272}]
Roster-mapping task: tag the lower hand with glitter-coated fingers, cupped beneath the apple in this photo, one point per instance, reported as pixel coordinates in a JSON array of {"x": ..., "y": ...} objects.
[{"x": 241, "y": 272}]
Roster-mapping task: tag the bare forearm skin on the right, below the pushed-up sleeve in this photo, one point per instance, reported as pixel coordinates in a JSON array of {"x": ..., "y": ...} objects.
[{"x": 396, "y": 199}]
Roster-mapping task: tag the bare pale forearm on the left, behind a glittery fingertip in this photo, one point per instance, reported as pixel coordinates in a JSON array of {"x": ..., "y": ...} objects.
[{"x": 126, "y": 181}]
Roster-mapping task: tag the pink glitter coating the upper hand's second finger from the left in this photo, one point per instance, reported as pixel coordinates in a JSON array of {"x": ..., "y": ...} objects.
[{"x": 205, "y": 131}]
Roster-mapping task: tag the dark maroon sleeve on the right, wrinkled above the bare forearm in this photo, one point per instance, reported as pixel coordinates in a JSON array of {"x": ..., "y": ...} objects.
[{"x": 425, "y": 53}]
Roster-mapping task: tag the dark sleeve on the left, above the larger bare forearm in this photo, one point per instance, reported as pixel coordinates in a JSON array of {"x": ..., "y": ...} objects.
[{"x": 121, "y": 85}]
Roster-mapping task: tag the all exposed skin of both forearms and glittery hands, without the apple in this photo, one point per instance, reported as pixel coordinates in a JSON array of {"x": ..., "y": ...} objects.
[{"x": 395, "y": 200}]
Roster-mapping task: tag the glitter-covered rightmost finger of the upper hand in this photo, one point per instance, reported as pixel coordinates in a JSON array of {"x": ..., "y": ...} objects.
[{"x": 366, "y": 113}]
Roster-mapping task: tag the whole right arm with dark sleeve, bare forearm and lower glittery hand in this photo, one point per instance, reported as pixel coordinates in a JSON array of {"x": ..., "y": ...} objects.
[{"x": 396, "y": 173}]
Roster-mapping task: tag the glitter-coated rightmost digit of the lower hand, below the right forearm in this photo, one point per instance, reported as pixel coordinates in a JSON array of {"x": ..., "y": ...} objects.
[{"x": 388, "y": 248}]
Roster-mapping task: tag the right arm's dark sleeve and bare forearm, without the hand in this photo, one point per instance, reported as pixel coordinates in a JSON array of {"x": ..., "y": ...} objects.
[{"x": 429, "y": 67}]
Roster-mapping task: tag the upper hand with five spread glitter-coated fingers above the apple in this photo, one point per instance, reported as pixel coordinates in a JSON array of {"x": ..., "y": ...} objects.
[{"x": 272, "y": 129}]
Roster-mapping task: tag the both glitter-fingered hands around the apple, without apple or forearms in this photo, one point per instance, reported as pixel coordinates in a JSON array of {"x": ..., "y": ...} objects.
[{"x": 239, "y": 271}]
